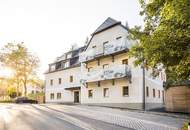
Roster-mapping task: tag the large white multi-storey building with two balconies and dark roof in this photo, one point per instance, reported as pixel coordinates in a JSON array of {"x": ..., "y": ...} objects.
[{"x": 107, "y": 76}]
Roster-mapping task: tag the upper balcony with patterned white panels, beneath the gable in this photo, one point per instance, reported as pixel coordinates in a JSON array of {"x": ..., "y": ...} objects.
[{"x": 108, "y": 49}]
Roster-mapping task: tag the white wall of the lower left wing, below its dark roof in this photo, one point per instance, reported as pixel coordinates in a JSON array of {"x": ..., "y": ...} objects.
[{"x": 67, "y": 96}]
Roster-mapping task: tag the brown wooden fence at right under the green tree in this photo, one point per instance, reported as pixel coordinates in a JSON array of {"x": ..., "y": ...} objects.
[{"x": 178, "y": 99}]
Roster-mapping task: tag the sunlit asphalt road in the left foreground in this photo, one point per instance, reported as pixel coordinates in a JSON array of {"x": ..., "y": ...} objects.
[{"x": 36, "y": 117}]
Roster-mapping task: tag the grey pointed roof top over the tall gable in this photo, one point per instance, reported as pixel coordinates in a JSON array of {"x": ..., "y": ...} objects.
[{"x": 109, "y": 22}]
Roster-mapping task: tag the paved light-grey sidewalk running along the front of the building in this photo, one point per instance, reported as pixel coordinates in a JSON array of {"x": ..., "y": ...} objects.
[{"x": 129, "y": 119}]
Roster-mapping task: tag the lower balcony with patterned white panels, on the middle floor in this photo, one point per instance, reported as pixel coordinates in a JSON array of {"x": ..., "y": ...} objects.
[{"x": 113, "y": 72}]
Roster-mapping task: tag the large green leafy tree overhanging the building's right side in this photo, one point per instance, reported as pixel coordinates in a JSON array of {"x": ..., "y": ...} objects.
[{"x": 165, "y": 38}]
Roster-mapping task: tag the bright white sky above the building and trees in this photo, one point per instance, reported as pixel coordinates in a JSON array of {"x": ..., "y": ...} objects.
[{"x": 50, "y": 27}]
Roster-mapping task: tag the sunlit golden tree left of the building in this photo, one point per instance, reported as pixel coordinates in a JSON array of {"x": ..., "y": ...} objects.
[{"x": 23, "y": 63}]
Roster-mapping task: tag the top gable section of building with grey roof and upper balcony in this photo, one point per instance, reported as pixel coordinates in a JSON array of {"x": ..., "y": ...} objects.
[{"x": 109, "y": 38}]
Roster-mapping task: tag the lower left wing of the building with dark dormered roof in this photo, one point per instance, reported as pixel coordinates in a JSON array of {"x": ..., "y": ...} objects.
[{"x": 63, "y": 78}]
